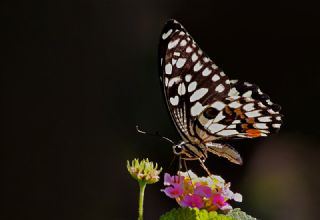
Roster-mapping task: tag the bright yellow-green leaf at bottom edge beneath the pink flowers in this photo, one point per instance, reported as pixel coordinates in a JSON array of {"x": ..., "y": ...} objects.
[{"x": 193, "y": 214}]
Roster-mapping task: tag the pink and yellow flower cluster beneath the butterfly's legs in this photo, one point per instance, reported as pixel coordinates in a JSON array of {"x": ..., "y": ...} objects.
[{"x": 210, "y": 193}]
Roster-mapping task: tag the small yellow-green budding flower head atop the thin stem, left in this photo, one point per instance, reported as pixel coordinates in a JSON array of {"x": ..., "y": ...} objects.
[{"x": 144, "y": 171}]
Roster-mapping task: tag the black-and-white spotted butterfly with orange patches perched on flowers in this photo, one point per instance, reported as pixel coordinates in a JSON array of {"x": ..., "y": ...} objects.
[{"x": 206, "y": 106}]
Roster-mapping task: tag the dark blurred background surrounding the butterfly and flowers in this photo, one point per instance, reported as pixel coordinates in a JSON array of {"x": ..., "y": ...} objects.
[{"x": 78, "y": 76}]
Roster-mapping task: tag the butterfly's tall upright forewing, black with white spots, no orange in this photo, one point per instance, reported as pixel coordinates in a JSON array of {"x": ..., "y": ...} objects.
[{"x": 191, "y": 81}]
